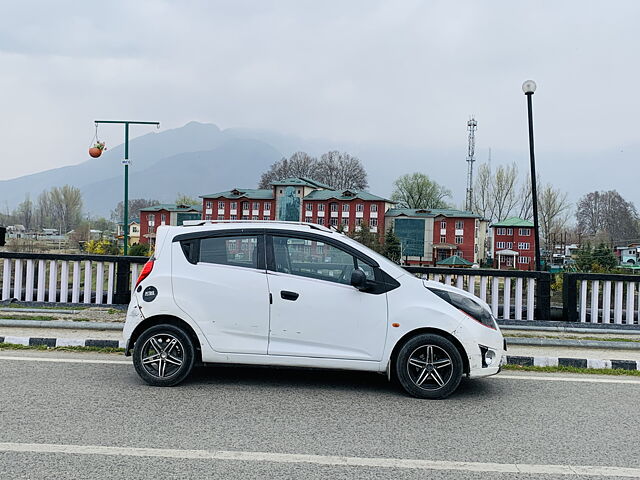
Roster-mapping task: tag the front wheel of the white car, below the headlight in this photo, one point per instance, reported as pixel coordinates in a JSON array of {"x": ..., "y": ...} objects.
[{"x": 429, "y": 366}]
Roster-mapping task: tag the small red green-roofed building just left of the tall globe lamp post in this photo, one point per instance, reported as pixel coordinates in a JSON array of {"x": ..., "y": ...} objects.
[{"x": 514, "y": 244}]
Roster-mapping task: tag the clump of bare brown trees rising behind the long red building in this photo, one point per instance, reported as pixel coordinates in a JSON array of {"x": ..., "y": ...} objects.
[{"x": 336, "y": 169}]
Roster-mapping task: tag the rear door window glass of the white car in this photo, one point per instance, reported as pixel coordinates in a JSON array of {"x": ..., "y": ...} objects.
[{"x": 238, "y": 251}]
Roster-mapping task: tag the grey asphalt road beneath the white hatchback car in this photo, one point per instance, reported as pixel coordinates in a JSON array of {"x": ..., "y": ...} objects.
[{"x": 66, "y": 418}]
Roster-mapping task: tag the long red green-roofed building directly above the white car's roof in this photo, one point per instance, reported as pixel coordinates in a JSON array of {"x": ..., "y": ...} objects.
[{"x": 299, "y": 200}]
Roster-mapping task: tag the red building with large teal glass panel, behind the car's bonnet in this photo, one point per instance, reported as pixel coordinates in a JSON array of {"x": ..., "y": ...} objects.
[{"x": 428, "y": 236}]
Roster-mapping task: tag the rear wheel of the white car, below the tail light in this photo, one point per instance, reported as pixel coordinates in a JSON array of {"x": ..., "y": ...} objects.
[{"x": 163, "y": 355}]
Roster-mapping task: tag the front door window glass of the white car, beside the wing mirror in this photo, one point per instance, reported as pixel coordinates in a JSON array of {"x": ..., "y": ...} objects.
[{"x": 315, "y": 259}]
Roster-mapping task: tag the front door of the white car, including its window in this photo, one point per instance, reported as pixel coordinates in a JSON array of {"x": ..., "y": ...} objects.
[{"x": 315, "y": 312}]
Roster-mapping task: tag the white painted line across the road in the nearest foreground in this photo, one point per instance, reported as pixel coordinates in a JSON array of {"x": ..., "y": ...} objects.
[{"x": 244, "y": 456}]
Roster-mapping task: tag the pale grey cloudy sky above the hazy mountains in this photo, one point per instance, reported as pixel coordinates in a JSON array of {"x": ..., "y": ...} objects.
[{"x": 372, "y": 73}]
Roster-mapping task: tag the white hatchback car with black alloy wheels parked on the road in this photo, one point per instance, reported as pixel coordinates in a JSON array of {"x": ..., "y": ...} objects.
[{"x": 301, "y": 295}]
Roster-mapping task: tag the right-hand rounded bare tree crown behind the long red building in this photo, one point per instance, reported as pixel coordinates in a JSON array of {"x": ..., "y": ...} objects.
[{"x": 341, "y": 171}]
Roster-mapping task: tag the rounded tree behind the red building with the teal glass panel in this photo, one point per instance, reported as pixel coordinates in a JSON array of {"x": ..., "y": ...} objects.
[{"x": 417, "y": 190}]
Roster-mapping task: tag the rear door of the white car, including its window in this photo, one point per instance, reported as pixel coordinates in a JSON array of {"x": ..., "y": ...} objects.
[{"x": 220, "y": 281}]
